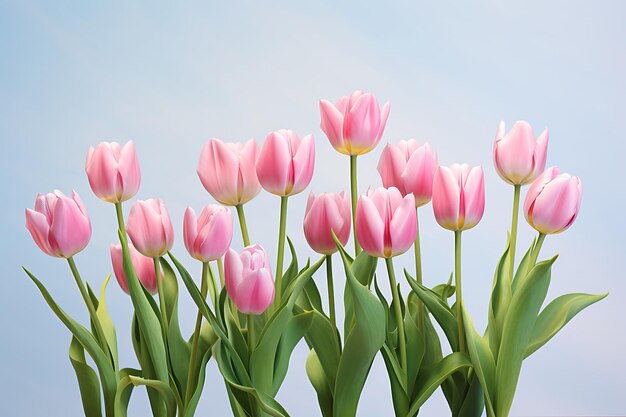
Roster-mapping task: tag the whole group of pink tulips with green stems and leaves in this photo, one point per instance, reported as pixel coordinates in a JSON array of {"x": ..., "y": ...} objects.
[{"x": 252, "y": 314}]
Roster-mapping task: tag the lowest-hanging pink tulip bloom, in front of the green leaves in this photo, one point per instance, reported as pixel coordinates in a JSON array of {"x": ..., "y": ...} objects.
[{"x": 248, "y": 279}]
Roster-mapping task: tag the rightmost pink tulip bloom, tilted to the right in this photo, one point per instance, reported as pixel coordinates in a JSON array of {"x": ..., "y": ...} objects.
[{"x": 553, "y": 201}]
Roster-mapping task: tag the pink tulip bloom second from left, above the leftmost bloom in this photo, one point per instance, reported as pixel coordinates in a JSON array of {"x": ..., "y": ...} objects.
[{"x": 113, "y": 171}]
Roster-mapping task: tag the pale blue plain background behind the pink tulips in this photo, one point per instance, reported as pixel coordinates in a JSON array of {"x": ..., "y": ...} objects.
[{"x": 171, "y": 76}]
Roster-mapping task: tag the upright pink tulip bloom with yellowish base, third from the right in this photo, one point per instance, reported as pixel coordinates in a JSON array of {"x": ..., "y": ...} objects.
[{"x": 458, "y": 196}]
